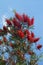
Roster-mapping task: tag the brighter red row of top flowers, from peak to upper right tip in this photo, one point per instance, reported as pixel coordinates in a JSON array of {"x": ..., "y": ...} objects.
[{"x": 25, "y": 18}]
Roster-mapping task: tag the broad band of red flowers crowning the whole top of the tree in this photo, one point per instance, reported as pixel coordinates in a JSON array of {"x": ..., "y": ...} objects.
[{"x": 19, "y": 19}]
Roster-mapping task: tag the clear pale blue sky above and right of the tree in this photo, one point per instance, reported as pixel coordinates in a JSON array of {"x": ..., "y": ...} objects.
[{"x": 33, "y": 8}]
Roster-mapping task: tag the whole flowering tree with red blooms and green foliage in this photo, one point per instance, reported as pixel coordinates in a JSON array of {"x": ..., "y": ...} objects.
[{"x": 20, "y": 42}]
